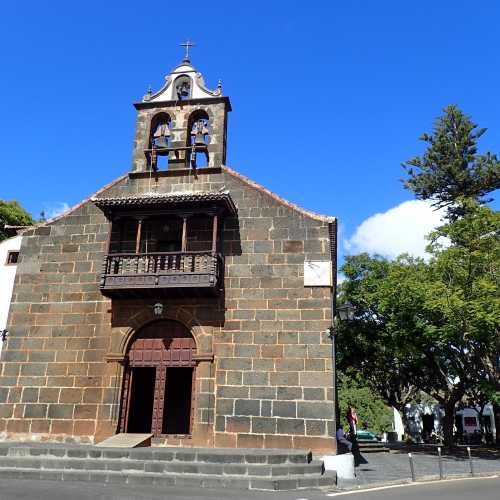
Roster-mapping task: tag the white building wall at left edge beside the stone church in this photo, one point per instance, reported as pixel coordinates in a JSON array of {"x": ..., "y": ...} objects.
[{"x": 9, "y": 253}]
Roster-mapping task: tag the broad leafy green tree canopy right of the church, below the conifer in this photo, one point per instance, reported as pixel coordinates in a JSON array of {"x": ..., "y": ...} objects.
[{"x": 431, "y": 326}]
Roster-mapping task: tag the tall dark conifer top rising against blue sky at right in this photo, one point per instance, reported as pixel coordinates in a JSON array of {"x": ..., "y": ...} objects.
[{"x": 451, "y": 170}]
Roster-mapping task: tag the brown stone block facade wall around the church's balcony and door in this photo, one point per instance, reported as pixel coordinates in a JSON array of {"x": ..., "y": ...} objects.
[{"x": 269, "y": 383}]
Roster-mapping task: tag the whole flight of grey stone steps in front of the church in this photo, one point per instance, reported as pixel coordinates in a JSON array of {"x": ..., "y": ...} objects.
[{"x": 253, "y": 469}]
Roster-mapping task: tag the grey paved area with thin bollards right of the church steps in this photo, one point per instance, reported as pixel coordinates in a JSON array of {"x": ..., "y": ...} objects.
[{"x": 395, "y": 467}]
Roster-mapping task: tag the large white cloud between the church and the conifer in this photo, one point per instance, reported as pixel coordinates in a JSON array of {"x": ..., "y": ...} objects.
[{"x": 402, "y": 229}]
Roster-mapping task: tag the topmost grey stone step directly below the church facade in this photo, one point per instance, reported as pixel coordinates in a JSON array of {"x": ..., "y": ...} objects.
[{"x": 205, "y": 455}]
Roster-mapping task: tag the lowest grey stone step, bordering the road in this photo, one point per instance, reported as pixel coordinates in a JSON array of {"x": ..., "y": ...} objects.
[{"x": 278, "y": 483}]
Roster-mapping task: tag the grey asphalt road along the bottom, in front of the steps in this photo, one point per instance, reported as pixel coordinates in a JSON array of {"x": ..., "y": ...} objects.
[{"x": 483, "y": 488}]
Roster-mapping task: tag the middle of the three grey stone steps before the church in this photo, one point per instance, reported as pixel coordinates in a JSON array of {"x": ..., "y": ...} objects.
[{"x": 47, "y": 462}]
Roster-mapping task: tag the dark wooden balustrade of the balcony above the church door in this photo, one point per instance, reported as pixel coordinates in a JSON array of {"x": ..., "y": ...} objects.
[{"x": 170, "y": 273}]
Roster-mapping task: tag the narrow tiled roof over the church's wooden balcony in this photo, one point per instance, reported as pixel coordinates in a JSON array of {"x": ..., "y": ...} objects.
[{"x": 165, "y": 199}]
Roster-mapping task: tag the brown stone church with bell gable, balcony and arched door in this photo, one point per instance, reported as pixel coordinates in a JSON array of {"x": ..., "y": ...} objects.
[{"x": 182, "y": 300}]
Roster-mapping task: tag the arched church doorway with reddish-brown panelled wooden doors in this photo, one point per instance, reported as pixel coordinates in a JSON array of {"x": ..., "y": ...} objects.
[{"x": 159, "y": 381}]
